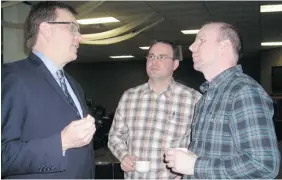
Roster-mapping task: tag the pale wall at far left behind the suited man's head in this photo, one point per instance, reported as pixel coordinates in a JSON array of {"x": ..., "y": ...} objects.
[{"x": 13, "y": 39}]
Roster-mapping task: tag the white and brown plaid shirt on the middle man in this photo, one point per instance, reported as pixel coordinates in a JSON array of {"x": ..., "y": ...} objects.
[{"x": 147, "y": 124}]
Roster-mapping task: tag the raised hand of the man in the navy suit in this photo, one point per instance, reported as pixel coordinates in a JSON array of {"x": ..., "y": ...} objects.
[{"x": 78, "y": 133}]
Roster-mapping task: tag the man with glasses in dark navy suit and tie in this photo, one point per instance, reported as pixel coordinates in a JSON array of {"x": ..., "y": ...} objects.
[{"x": 46, "y": 132}]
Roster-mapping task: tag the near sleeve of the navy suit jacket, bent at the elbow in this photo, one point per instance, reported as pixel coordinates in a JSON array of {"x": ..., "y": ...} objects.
[{"x": 19, "y": 156}]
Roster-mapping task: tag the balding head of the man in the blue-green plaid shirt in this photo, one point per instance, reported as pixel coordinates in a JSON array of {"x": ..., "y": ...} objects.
[{"x": 215, "y": 49}]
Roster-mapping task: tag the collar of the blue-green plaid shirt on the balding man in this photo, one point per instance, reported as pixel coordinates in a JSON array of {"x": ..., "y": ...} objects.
[{"x": 221, "y": 78}]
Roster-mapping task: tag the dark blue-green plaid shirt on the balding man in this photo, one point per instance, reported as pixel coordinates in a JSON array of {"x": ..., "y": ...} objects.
[{"x": 232, "y": 131}]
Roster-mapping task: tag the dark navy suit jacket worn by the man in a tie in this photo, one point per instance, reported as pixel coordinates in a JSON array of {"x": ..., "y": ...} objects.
[{"x": 34, "y": 112}]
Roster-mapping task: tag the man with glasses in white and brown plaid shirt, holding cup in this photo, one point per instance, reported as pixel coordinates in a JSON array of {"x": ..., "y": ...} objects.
[{"x": 153, "y": 117}]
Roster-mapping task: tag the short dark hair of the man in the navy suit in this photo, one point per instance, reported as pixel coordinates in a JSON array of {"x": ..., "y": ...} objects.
[{"x": 41, "y": 12}]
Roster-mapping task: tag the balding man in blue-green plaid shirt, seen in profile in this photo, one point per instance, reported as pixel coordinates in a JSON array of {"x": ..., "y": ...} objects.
[{"x": 232, "y": 132}]
